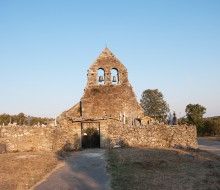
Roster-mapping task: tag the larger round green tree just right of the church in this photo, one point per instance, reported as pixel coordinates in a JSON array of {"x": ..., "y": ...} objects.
[{"x": 154, "y": 105}]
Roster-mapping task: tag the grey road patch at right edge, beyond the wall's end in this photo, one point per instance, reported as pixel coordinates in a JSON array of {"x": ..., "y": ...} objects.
[{"x": 209, "y": 145}]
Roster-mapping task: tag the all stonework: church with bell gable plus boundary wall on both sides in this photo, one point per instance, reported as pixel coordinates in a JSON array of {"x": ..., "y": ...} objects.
[{"x": 108, "y": 104}]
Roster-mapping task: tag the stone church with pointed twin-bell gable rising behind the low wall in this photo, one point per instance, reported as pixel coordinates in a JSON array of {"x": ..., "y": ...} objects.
[{"x": 108, "y": 98}]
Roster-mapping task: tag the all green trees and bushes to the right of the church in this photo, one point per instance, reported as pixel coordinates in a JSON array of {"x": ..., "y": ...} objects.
[{"x": 154, "y": 105}]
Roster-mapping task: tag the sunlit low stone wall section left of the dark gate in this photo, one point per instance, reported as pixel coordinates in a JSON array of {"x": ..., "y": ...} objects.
[{"x": 25, "y": 138}]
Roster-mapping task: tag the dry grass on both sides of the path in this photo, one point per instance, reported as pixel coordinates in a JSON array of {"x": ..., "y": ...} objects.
[{"x": 131, "y": 168}]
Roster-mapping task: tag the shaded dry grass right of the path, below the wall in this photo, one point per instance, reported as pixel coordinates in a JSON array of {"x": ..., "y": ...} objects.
[{"x": 156, "y": 169}]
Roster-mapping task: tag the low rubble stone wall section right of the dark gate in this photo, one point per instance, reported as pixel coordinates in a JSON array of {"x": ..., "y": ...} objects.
[{"x": 160, "y": 136}]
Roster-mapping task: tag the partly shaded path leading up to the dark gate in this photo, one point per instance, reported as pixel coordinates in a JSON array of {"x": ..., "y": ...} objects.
[{"x": 82, "y": 170}]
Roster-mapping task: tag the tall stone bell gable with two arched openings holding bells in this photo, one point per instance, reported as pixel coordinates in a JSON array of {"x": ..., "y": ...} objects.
[{"x": 108, "y": 92}]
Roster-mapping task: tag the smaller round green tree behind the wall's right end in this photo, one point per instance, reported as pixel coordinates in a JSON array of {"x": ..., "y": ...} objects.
[{"x": 194, "y": 113}]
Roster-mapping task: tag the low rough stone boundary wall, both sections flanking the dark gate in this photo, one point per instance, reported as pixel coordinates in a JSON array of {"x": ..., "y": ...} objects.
[{"x": 53, "y": 139}]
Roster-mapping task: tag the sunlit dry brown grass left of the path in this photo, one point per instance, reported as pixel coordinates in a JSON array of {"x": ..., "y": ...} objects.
[{"x": 23, "y": 170}]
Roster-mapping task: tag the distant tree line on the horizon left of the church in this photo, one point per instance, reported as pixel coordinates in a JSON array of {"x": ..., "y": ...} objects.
[{"x": 22, "y": 119}]
